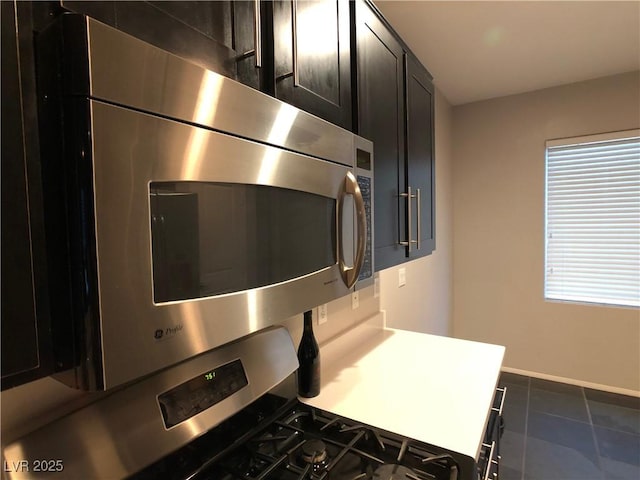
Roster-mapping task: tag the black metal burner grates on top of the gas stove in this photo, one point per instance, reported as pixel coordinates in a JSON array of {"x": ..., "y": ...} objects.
[{"x": 351, "y": 451}]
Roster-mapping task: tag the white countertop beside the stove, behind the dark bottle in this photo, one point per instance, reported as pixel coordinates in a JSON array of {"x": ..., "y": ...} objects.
[{"x": 433, "y": 389}]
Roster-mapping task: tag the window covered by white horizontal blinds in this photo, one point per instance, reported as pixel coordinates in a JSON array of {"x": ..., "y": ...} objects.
[{"x": 593, "y": 219}]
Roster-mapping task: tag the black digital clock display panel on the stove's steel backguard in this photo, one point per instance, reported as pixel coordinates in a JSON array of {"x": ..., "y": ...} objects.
[{"x": 201, "y": 392}]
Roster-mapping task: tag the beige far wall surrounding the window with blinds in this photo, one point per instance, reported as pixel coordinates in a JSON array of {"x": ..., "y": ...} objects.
[{"x": 498, "y": 204}]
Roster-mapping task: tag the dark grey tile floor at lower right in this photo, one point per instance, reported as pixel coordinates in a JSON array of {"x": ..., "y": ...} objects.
[{"x": 555, "y": 431}]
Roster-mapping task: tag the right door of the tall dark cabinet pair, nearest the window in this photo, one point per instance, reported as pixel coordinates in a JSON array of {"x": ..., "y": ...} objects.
[{"x": 420, "y": 155}]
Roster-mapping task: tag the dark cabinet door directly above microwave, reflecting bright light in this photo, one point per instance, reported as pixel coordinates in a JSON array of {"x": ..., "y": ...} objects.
[{"x": 312, "y": 57}]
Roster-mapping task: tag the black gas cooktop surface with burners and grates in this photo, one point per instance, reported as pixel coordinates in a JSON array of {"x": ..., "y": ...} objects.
[{"x": 278, "y": 439}]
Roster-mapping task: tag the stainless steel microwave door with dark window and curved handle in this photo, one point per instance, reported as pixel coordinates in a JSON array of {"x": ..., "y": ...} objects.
[{"x": 203, "y": 237}]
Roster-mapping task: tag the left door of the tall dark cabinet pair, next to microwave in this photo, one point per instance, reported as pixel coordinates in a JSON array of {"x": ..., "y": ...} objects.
[{"x": 381, "y": 120}]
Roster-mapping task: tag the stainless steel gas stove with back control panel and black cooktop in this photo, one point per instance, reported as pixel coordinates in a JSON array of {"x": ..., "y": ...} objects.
[{"x": 229, "y": 414}]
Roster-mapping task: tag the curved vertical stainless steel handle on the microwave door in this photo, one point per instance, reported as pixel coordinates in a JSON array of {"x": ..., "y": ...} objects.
[{"x": 350, "y": 274}]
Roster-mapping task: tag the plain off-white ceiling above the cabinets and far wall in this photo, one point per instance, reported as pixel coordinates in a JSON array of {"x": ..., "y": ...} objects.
[{"x": 483, "y": 49}]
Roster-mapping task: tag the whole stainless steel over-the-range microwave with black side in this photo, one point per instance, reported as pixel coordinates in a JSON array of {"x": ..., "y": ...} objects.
[{"x": 185, "y": 210}]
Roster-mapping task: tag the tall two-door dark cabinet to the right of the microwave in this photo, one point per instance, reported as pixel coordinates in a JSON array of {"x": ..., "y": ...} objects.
[{"x": 395, "y": 112}]
